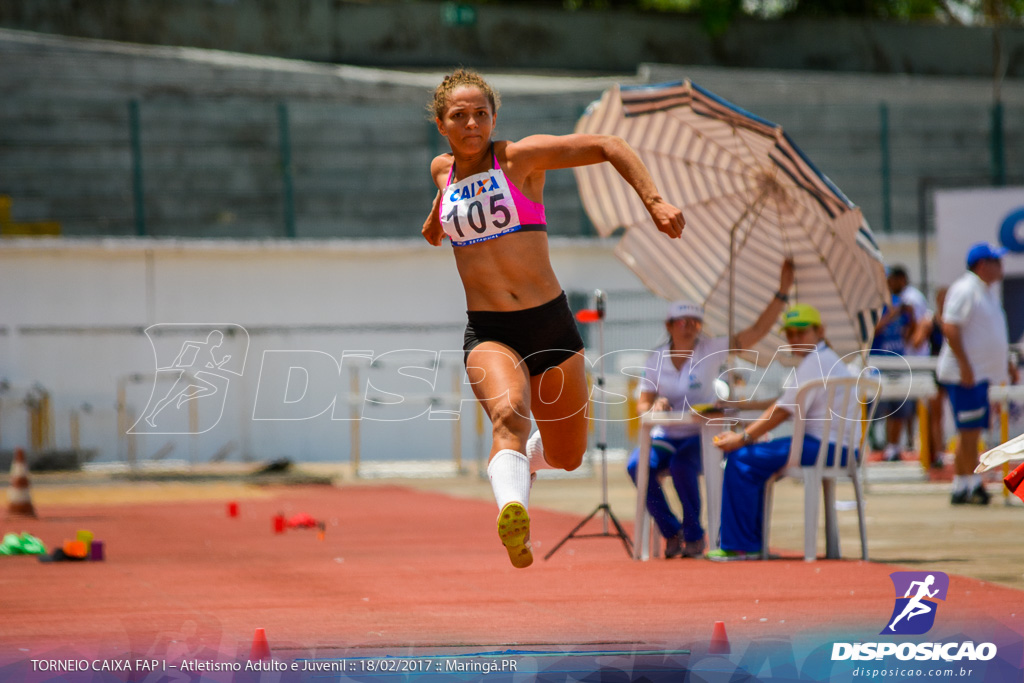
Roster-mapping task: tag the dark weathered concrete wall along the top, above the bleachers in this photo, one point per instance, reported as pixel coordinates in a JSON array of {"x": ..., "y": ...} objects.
[{"x": 442, "y": 34}]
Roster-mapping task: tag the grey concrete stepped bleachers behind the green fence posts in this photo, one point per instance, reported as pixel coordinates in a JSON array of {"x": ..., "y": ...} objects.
[{"x": 214, "y": 119}]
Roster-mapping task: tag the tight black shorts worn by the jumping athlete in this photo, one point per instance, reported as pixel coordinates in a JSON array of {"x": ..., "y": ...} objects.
[{"x": 544, "y": 336}]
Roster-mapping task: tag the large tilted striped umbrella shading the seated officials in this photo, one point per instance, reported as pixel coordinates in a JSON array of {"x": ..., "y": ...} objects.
[{"x": 752, "y": 199}]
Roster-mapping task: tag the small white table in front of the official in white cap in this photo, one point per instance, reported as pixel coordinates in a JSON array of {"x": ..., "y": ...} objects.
[{"x": 647, "y": 538}]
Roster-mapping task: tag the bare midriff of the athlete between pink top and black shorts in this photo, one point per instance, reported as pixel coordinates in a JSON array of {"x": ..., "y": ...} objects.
[{"x": 511, "y": 273}]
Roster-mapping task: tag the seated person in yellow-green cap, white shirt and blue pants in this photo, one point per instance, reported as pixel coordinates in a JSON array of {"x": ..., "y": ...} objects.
[{"x": 751, "y": 464}]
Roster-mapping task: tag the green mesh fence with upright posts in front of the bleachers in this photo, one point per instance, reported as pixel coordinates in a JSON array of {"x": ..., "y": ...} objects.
[{"x": 185, "y": 167}]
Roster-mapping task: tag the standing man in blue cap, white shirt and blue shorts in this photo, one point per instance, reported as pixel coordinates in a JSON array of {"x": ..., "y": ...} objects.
[{"x": 975, "y": 355}]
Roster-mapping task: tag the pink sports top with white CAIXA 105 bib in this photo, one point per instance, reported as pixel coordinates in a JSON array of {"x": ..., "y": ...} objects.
[{"x": 486, "y": 206}]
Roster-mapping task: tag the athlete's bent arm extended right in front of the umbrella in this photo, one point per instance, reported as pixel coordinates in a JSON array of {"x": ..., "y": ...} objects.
[{"x": 541, "y": 153}]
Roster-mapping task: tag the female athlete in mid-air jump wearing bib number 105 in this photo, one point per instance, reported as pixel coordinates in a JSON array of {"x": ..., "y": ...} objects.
[{"x": 524, "y": 354}]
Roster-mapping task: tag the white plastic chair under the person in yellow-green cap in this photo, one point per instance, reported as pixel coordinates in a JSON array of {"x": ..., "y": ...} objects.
[{"x": 822, "y": 476}]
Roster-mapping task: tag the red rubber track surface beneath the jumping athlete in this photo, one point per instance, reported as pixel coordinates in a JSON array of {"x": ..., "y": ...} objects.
[{"x": 401, "y": 570}]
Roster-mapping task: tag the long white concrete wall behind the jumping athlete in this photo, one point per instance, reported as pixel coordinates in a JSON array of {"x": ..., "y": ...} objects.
[{"x": 73, "y": 316}]
